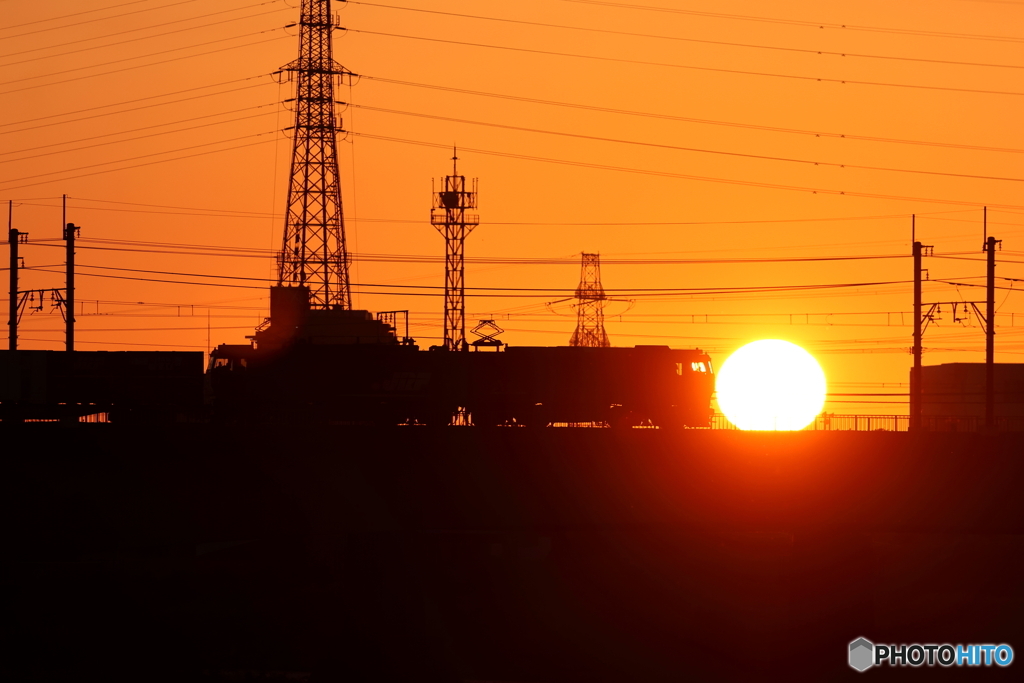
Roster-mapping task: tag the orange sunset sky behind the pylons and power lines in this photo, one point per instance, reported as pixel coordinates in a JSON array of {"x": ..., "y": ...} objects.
[{"x": 196, "y": 75}]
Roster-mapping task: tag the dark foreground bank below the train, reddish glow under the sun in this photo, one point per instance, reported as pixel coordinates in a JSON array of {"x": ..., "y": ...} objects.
[{"x": 468, "y": 554}]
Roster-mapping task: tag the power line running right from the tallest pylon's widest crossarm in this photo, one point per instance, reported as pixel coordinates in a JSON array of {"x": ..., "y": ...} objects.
[{"x": 667, "y": 117}]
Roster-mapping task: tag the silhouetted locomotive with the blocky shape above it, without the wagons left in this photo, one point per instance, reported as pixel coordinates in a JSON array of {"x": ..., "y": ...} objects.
[{"x": 349, "y": 367}]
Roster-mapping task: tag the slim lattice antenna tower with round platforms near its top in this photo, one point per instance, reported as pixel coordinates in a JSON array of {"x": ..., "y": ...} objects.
[{"x": 449, "y": 216}]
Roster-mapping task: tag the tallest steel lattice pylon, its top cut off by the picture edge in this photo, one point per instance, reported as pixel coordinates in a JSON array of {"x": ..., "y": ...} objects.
[{"x": 314, "y": 253}]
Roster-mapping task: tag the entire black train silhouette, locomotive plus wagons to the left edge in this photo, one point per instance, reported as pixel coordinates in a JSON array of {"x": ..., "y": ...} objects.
[{"x": 349, "y": 367}]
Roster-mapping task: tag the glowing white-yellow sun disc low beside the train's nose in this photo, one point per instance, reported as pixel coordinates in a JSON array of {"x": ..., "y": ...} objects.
[{"x": 772, "y": 386}]
